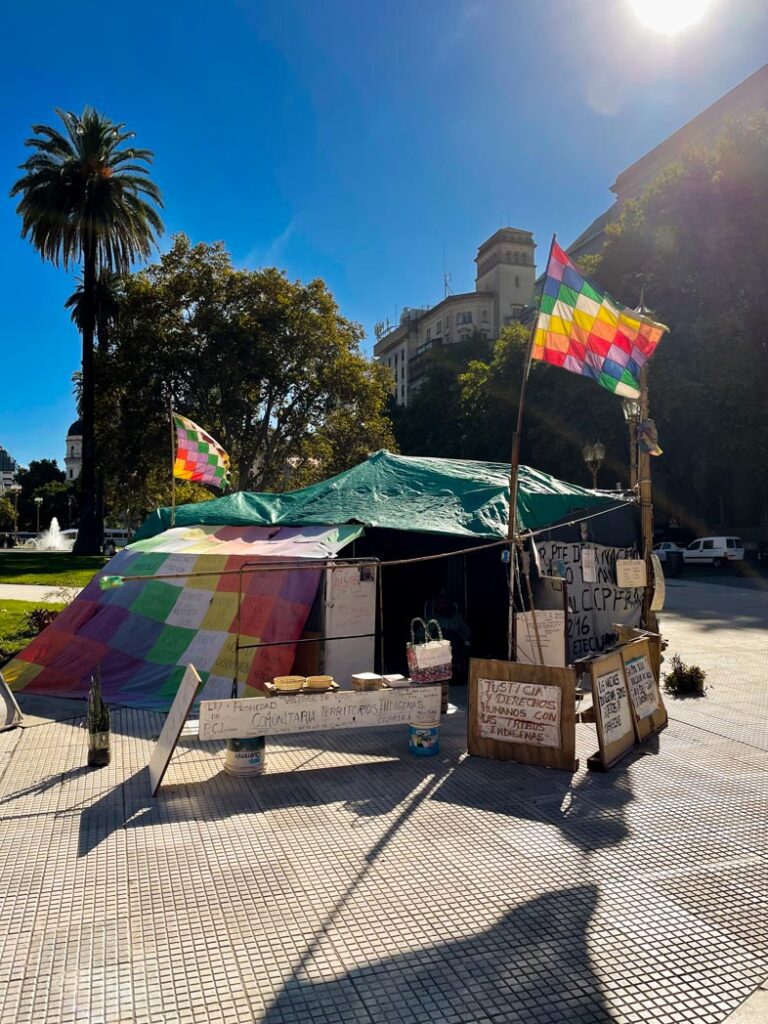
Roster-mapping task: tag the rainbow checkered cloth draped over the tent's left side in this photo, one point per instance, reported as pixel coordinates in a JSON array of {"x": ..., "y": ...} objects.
[{"x": 144, "y": 634}]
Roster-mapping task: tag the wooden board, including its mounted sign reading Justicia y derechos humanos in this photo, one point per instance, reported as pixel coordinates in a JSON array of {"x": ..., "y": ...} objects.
[{"x": 524, "y": 713}]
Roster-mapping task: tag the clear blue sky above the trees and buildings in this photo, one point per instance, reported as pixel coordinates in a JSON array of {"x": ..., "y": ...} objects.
[{"x": 352, "y": 142}]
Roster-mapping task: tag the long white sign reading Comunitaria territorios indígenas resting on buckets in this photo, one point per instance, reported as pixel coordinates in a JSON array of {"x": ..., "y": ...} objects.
[{"x": 317, "y": 712}]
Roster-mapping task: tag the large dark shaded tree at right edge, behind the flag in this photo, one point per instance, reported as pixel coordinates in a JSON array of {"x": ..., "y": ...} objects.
[{"x": 694, "y": 245}]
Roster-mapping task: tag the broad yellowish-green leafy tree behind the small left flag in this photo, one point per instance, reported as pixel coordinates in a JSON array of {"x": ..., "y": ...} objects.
[{"x": 269, "y": 366}]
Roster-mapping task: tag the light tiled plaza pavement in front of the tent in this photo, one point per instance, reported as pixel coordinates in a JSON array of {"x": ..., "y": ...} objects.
[{"x": 356, "y": 884}]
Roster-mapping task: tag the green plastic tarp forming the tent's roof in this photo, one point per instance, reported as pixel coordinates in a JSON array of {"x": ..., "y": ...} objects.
[{"x": 394, "y": 492}]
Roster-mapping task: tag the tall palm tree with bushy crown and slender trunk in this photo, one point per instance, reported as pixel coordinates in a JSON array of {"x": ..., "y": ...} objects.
[{"x": 87, "y": 201}]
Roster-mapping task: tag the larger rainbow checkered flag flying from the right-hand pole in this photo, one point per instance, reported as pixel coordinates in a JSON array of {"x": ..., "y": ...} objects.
[{"x": 585, "y": 331}]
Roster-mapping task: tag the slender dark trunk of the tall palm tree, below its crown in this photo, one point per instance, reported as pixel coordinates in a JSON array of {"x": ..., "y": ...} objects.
[{"x": 91, "y": 528}]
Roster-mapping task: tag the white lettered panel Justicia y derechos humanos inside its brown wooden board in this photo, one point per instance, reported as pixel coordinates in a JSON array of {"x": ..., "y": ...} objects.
[{"x": 519, "y": 713}]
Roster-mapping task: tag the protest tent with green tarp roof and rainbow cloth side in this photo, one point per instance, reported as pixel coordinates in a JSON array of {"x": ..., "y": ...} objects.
[{"x": 391, "y": 508}]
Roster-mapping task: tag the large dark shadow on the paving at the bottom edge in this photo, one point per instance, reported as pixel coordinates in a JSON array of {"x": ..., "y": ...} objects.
[{"x": 534, "y": 964}]
